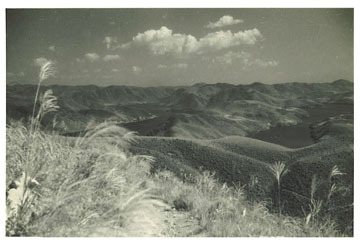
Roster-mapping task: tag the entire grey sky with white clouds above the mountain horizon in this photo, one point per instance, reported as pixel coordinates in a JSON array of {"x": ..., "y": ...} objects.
[{"x": 172, "y": 47}]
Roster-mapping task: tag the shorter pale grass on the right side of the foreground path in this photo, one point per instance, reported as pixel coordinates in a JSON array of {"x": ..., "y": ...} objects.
[{"x": 223, "y": 211}]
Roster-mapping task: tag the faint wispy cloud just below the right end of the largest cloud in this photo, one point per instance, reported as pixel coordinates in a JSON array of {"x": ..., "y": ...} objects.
[{"x": 246, "y": 60}]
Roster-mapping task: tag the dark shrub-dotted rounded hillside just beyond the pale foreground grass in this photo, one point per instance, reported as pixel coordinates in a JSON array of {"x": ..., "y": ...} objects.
[{"x": 238, "y": 161}]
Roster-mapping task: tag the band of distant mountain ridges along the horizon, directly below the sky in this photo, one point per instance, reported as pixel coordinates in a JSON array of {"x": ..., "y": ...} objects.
[{"x": 197, "y": 111}]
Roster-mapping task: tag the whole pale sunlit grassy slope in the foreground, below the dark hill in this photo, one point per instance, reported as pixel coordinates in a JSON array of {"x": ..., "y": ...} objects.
[{"x": 92, "y": 186}]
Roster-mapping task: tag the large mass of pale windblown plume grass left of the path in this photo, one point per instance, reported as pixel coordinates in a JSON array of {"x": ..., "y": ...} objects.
[{"x": 91, "y": 185}]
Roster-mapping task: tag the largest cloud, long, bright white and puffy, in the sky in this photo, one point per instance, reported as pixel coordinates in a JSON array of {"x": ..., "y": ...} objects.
[{"x": 164, "y": 41}]
